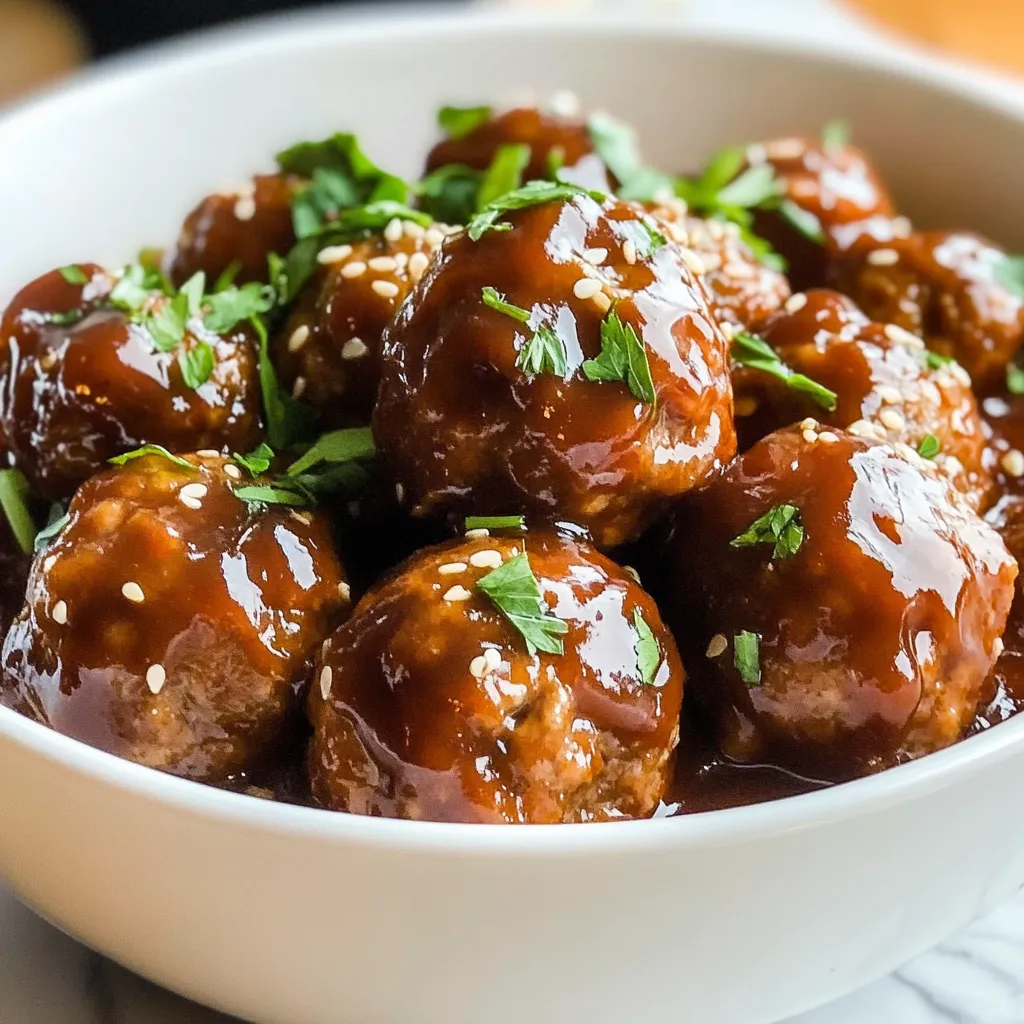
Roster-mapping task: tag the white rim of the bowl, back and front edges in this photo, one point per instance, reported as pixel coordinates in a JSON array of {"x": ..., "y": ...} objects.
[{"x": 294, "y": 31}]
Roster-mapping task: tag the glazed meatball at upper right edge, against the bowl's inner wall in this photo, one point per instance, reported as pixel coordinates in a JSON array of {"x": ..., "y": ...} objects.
[{"x": 945, "y": 287}]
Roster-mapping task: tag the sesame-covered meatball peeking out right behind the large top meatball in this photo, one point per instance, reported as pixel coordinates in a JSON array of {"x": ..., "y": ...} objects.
[{"x": 742, "y": 290}]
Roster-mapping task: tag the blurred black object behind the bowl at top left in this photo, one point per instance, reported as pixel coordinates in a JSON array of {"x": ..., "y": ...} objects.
[{"x": 117, "y": 25}]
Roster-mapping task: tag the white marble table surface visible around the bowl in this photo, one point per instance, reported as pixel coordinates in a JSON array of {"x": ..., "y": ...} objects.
[{"x": 975, "y": 978}]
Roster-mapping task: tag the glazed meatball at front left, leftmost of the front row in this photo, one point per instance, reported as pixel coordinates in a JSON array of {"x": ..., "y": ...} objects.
[{"x": 170, "y": 623}]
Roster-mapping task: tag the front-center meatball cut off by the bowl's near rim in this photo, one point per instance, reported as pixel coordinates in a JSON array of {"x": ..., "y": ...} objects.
[{"x": 429, "y": 704}]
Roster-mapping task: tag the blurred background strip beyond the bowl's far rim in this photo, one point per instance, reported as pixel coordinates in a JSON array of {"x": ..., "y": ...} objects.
[{"x": 40, "y": 40}]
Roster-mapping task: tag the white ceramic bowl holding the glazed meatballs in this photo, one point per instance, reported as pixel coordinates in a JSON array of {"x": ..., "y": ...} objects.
[{"x": 287, "y": 915}]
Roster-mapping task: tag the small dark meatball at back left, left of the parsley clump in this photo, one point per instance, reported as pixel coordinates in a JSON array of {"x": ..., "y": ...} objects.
[{"x": 240, "y": 227}]
